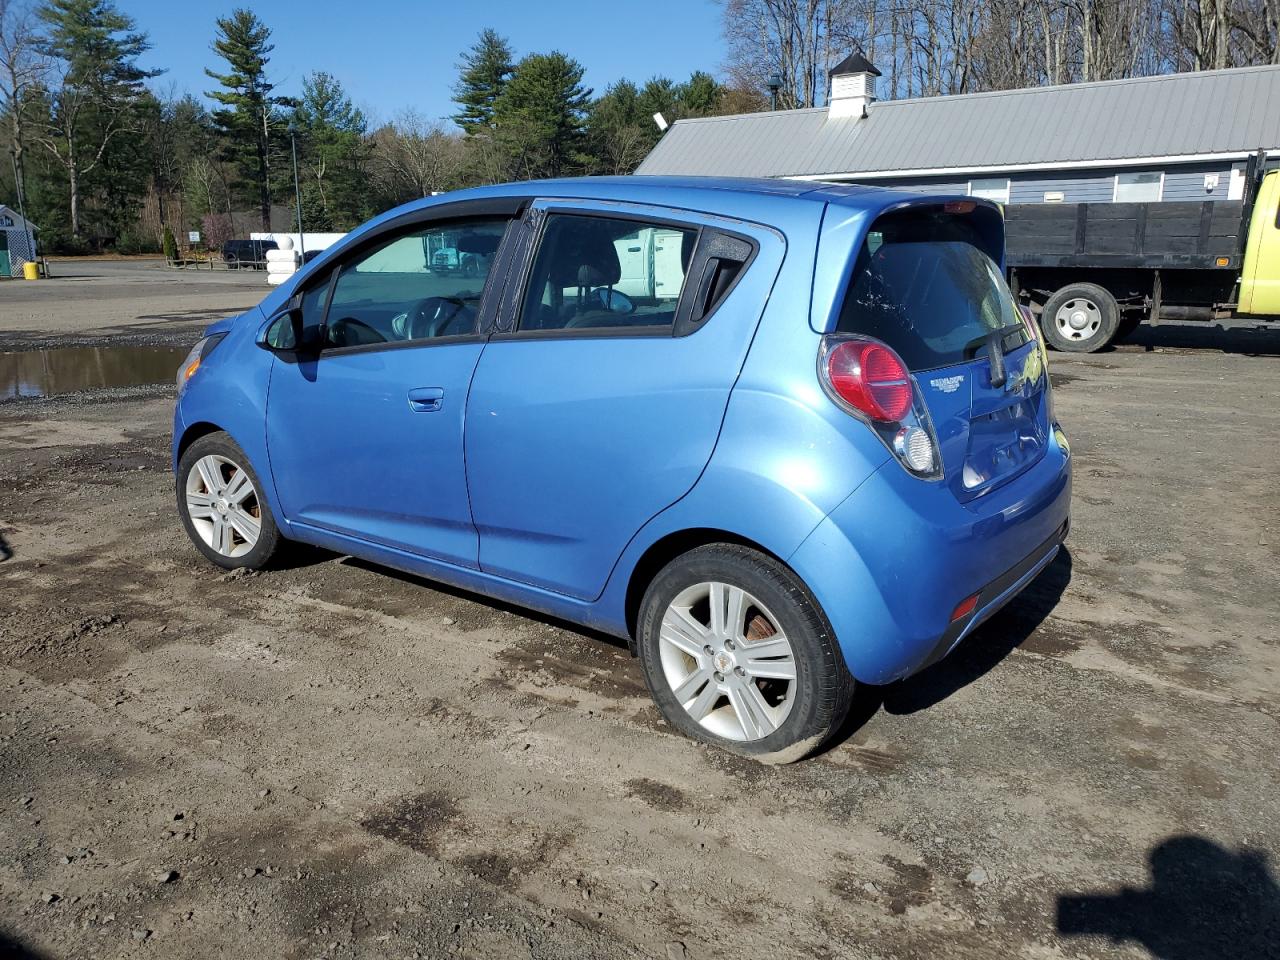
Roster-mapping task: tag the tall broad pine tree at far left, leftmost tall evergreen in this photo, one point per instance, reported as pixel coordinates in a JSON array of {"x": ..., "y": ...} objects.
[{"x": 97, "y": 51}]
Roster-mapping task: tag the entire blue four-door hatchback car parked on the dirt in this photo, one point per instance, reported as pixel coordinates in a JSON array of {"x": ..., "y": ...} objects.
[{"x": 780, "y": 436}]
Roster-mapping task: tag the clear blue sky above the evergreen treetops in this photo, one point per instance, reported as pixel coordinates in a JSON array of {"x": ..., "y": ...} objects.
[{"x": 397, "y": 54}]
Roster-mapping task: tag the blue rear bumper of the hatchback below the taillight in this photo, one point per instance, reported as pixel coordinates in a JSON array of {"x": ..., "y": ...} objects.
[{"x": 890, "y": 565}]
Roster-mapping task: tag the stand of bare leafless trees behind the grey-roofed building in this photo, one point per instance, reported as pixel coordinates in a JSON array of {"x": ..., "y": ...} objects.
[{"x": 929, "y": 48}]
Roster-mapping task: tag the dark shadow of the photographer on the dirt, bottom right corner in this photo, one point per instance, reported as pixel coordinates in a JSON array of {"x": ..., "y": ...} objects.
[{"x": 1204, "y": 903}]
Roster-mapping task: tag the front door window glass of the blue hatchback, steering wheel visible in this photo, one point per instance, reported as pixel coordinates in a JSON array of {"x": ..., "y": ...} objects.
[{"x": 417, "y": 286}]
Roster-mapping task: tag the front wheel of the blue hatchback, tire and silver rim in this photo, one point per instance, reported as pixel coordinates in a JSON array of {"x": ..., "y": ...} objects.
[{"x": 222, "y": 505}]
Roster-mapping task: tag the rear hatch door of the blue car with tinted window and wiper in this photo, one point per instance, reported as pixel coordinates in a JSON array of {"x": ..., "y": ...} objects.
[{"x": 929, "y": 284}]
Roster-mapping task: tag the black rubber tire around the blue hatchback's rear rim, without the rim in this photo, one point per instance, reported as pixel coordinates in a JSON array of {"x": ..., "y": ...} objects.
[{"x": 824, "y": 688}]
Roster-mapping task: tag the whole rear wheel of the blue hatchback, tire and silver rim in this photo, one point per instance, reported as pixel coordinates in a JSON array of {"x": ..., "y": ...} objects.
[{"x": 737, "y": 653}]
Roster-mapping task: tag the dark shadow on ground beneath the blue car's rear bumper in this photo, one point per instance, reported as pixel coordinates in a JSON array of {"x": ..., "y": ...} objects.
[{"x": 977, "y": 656}]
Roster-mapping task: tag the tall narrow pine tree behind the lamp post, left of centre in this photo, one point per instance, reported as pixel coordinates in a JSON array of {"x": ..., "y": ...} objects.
[{"x": 250, "y": 115}]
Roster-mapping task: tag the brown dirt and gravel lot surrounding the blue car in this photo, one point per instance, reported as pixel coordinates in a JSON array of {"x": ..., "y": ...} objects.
[{"x": 335, "y": 761}]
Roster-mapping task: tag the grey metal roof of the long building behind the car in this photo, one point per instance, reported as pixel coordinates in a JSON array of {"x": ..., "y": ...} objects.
[{"x": 1172, "y": 116}]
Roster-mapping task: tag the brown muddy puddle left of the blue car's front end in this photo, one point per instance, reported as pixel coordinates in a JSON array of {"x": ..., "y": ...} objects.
[{"x": 45, "y": 373}]
